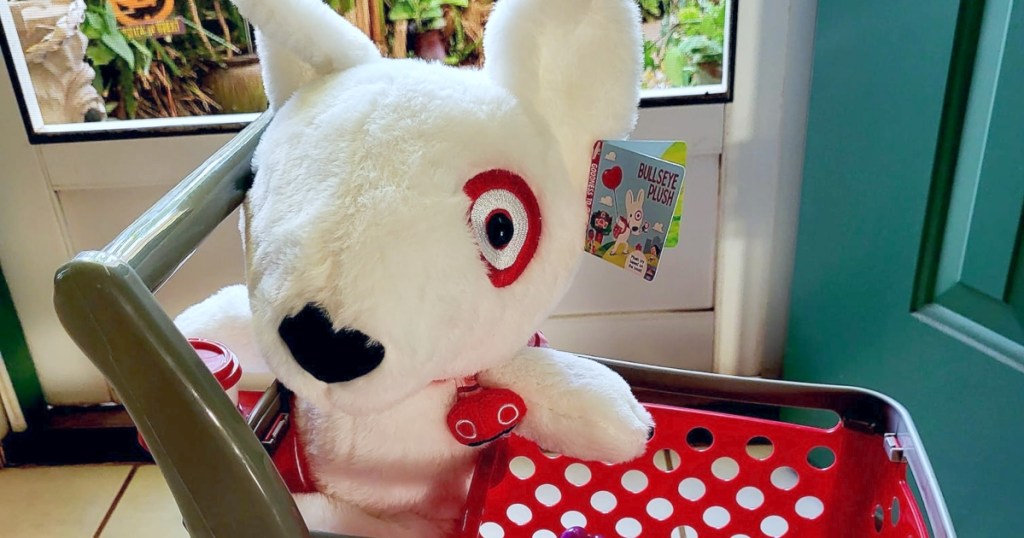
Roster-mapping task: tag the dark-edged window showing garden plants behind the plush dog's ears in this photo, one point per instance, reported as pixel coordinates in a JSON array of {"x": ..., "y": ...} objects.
[{"x": 100, "y": 69}]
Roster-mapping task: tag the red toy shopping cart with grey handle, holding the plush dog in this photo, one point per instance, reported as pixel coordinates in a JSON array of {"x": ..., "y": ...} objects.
[{"x": 708, "y": 473}]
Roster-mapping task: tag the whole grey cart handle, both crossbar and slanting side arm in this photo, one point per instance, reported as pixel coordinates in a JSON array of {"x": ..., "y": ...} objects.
[{"x": 224, "y": 481}]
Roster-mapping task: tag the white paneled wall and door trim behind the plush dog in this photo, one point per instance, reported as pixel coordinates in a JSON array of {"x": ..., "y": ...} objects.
[{"x": 723, "y": 305}]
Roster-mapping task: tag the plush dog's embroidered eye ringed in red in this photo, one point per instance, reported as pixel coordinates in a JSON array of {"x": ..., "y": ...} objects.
[{"x": 506, "y": 220}]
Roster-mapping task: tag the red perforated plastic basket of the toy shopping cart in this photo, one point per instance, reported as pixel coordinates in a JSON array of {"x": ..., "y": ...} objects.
[{"x": 705, "y": 475}]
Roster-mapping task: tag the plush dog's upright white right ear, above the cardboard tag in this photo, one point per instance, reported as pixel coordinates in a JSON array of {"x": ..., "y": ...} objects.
[{"x": 578, "y": 63}]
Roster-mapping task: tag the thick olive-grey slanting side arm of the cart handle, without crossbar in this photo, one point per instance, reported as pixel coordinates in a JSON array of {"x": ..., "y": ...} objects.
[{"x": 222, "y": 478}]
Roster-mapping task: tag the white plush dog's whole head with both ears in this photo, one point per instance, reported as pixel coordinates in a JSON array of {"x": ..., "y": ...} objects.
[{"x": 412, "y": 222}]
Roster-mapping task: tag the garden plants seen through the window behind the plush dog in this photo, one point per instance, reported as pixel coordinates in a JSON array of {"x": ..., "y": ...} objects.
[{"x": 211, "y": 68}]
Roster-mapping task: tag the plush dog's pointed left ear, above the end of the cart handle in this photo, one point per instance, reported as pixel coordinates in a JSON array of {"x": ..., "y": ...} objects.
[{"x": 301, "y": 40}]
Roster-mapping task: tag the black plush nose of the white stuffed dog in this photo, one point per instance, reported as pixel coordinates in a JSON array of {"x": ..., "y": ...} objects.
[{"x": 329, "y": 356}]
